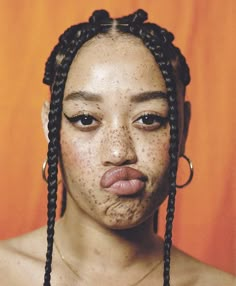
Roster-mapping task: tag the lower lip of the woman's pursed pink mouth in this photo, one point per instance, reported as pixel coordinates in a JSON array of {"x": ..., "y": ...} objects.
[{"x": 126, "y": 187}]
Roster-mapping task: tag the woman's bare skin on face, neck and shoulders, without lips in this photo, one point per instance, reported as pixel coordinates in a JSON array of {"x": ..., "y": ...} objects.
[{"x": 109, "y": 239}]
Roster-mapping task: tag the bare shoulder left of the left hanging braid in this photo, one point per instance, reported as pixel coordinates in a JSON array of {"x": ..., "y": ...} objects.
[{"x": 22, "y": 259}]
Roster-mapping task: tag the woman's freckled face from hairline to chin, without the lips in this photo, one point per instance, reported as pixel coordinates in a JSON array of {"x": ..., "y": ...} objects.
[{"x": 115, "y": 115}]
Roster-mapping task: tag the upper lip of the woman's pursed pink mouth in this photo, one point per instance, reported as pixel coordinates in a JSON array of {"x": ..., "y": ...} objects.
[{"x": 116, "y": 174}]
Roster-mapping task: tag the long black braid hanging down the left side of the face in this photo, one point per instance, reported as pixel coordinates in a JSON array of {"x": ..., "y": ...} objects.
[{"x": 57, "y": 91}]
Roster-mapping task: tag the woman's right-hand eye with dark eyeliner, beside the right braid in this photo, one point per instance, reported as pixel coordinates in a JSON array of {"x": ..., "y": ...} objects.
[{"x": 150, "y": 121}]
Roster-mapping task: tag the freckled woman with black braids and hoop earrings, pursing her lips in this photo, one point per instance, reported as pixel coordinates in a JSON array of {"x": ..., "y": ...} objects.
[{"x": 117, "y": 124}]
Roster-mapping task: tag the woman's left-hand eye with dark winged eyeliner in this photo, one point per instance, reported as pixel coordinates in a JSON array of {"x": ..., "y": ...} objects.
[{"x": 83, "y": 121}]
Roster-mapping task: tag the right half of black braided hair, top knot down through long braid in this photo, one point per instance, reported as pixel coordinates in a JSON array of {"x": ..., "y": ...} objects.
[{"x": 159, "y": 42}]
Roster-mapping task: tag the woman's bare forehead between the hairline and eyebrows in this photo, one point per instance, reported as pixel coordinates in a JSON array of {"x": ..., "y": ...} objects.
[{"x": 114, "y": 63}]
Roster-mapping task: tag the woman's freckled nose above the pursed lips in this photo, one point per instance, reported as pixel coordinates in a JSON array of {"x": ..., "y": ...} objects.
[{"x": 118, "y": 148}]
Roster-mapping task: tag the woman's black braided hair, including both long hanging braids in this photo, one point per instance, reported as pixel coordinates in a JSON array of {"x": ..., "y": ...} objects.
[{"x": 173, "y": 67}]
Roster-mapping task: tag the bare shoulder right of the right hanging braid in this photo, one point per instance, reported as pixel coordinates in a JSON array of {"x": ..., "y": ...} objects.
[{"x": 193, "y": 272}]
